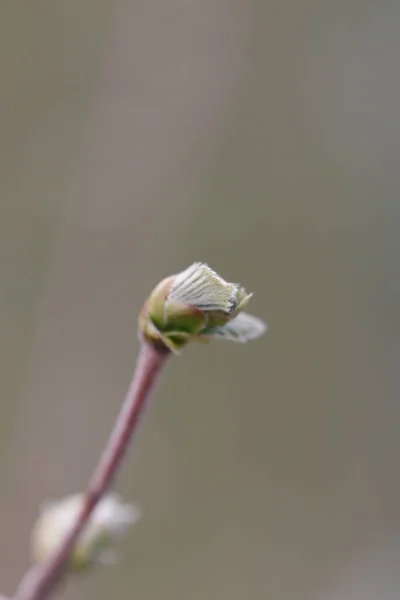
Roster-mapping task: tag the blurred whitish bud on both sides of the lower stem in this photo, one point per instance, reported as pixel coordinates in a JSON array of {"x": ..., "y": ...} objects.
[{"x": 108, "y": 522}]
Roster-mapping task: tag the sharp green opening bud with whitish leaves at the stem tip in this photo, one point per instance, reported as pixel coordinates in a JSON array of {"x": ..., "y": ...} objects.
[{"x": 197, "y": 304}]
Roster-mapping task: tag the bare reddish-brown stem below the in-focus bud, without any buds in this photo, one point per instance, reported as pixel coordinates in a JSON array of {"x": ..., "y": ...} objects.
[{"x": 42, "y": 580}]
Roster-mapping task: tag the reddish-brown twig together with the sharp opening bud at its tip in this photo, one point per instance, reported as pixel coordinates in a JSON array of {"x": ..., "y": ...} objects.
[{"x": 196, "y": 304}]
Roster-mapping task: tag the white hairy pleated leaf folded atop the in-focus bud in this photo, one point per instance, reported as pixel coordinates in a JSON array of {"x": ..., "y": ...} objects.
[{"x": 202, "y": 287}]
